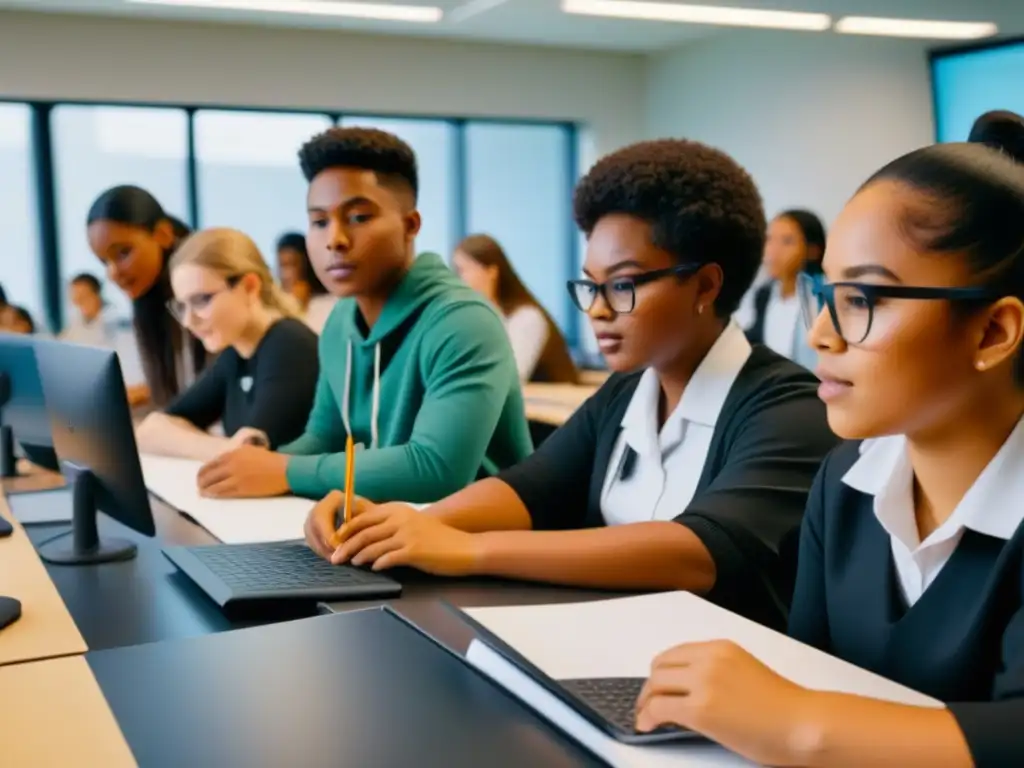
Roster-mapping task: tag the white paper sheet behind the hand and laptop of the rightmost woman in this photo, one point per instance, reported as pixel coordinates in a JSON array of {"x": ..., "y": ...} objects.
[{"x": 622, "y": 636}]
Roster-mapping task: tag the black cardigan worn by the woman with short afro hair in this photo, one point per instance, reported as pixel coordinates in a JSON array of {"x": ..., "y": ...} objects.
[{"x": 769, "y": 443}]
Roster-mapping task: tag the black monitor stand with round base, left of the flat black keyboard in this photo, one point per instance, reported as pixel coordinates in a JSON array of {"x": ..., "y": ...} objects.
[{"x": 86, "y": 547}]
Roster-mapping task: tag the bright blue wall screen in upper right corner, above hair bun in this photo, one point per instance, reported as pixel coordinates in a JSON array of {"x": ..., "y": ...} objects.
[{"x": 971, "y": 83}]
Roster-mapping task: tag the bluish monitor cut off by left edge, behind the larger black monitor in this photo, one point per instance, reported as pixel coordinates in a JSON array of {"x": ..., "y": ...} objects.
[{"x": 23, "y": 412}]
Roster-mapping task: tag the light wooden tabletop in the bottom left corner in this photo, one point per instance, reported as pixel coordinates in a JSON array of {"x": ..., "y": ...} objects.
[{"x": 56, "y": 715}]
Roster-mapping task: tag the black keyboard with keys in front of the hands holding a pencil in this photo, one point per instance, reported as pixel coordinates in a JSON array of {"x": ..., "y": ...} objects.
[{"x": 257, "y": 568}]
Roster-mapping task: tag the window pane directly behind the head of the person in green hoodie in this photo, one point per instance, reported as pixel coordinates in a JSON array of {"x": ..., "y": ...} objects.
[{"x": 435, "y": 145}]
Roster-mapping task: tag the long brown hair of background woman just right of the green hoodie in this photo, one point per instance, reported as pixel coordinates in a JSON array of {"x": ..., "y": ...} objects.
[{"x": 556, "y": 364}]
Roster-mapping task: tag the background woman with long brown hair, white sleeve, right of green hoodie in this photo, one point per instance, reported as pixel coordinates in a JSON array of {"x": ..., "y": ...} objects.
[{"x": 541, "y": 352}]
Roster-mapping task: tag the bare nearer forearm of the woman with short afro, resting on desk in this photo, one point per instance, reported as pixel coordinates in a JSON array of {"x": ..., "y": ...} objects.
[{"x": 637, "y": 557}]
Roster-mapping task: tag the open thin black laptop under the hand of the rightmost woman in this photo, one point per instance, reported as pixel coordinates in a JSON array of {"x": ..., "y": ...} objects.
[{"x": 608, "y": 704}]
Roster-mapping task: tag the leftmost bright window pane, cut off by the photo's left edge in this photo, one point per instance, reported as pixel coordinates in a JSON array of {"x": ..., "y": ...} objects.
[{"x": 21, "y": 270}]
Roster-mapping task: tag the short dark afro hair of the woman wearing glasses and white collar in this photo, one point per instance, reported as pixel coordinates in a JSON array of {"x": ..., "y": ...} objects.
[{"x": 703, "y": 207}]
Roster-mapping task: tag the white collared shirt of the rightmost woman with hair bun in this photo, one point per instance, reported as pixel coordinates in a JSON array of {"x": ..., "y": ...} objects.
[{"x": 992, "y": 506}]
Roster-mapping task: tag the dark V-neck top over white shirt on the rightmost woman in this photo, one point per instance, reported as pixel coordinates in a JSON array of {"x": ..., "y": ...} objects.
[{"x": 962, "y": 643}]
